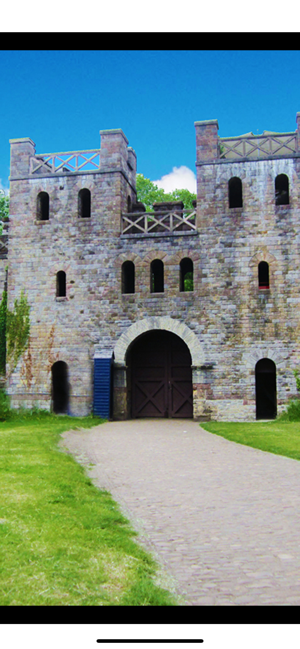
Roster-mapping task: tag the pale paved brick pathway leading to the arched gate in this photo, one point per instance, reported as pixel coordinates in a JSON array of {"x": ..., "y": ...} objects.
[{"x": 222, "y": 519}]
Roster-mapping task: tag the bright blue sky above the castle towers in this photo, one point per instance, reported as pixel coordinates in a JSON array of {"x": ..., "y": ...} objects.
[{"x": 62, "y": 99}]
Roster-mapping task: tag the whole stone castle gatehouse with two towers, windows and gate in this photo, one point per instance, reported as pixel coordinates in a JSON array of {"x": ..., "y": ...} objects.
[{"x": 174, "y": 313}]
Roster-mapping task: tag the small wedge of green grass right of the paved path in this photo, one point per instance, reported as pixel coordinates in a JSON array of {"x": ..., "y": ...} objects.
[{"x": 278, "y": 436}]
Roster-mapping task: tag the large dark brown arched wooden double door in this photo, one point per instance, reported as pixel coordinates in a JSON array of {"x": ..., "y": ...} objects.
[{"x": 161, "y": 376}]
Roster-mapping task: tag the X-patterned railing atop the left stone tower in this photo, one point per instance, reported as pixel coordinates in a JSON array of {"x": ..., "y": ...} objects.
[{"x": 69, "y": 162}]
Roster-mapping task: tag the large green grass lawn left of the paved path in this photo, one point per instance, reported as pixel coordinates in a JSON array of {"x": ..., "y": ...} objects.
[{"x": 63, "y": 541}]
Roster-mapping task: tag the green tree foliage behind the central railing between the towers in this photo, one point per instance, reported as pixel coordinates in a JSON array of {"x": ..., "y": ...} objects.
[{"x": 148, "y": 193}]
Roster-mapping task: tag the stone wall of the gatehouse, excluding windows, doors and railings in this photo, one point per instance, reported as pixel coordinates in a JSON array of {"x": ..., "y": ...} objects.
[{"x": 227, "y": 321}]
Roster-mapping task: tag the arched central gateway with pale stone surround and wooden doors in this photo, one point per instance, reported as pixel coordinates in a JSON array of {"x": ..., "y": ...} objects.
[{"x": 169, "y": 394}]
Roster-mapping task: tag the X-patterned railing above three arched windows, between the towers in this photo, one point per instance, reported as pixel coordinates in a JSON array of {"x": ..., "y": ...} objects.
[{"x": 159, "y": 222}]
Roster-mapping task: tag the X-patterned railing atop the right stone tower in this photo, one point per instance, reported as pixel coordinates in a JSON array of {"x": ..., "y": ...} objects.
[{"x": 255, "y": 146}]
